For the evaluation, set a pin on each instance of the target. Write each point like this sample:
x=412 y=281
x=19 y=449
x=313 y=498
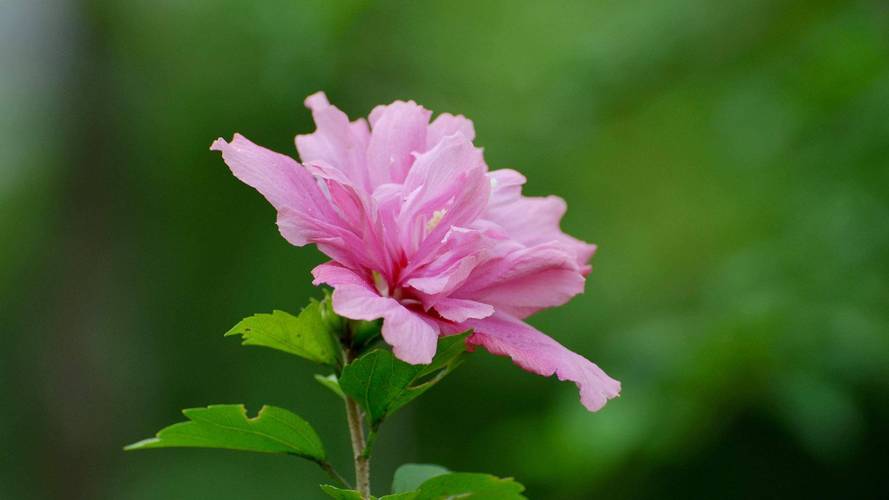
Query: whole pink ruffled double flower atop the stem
x=423 y=235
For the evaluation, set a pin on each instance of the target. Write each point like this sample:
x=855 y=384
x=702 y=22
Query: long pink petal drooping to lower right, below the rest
x=536 y=352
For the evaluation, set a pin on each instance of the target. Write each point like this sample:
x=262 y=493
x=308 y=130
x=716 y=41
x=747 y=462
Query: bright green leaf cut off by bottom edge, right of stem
x=467 y=485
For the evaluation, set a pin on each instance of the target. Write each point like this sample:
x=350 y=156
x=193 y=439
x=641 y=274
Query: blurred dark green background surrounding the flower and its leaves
x=730 y=158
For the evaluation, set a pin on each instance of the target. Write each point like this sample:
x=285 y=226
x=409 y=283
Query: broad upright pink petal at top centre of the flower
x=397 y=131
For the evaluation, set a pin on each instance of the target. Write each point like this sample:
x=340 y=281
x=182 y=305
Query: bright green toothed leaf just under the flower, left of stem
x=310 y=335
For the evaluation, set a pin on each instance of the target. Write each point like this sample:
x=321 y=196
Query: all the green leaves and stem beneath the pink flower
x=376 y=379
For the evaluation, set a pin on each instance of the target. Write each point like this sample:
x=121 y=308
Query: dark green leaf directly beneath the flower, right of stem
x=382 y=384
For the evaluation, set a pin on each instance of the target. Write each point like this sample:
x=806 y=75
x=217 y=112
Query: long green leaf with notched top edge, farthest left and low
x=272 y=430
